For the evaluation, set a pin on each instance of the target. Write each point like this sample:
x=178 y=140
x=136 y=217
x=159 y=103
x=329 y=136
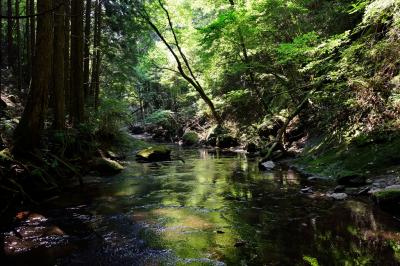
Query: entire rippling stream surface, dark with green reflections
x=207 y=209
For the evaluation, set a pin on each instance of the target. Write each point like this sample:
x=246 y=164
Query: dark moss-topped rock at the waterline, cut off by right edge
x=388 y=199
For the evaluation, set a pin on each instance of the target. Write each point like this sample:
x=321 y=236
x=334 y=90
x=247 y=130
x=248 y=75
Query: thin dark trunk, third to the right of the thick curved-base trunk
x=86 y=55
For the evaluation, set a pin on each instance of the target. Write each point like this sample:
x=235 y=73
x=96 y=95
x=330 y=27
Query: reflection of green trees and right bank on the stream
x=195 y=199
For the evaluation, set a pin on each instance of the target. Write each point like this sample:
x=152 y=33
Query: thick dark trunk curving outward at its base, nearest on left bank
x=27 y=133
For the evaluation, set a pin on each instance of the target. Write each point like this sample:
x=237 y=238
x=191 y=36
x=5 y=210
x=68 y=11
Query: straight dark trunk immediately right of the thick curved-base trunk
x=58 y=67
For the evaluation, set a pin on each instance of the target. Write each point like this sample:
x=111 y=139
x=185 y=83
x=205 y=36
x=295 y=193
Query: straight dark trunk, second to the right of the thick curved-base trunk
x=77 y=62
